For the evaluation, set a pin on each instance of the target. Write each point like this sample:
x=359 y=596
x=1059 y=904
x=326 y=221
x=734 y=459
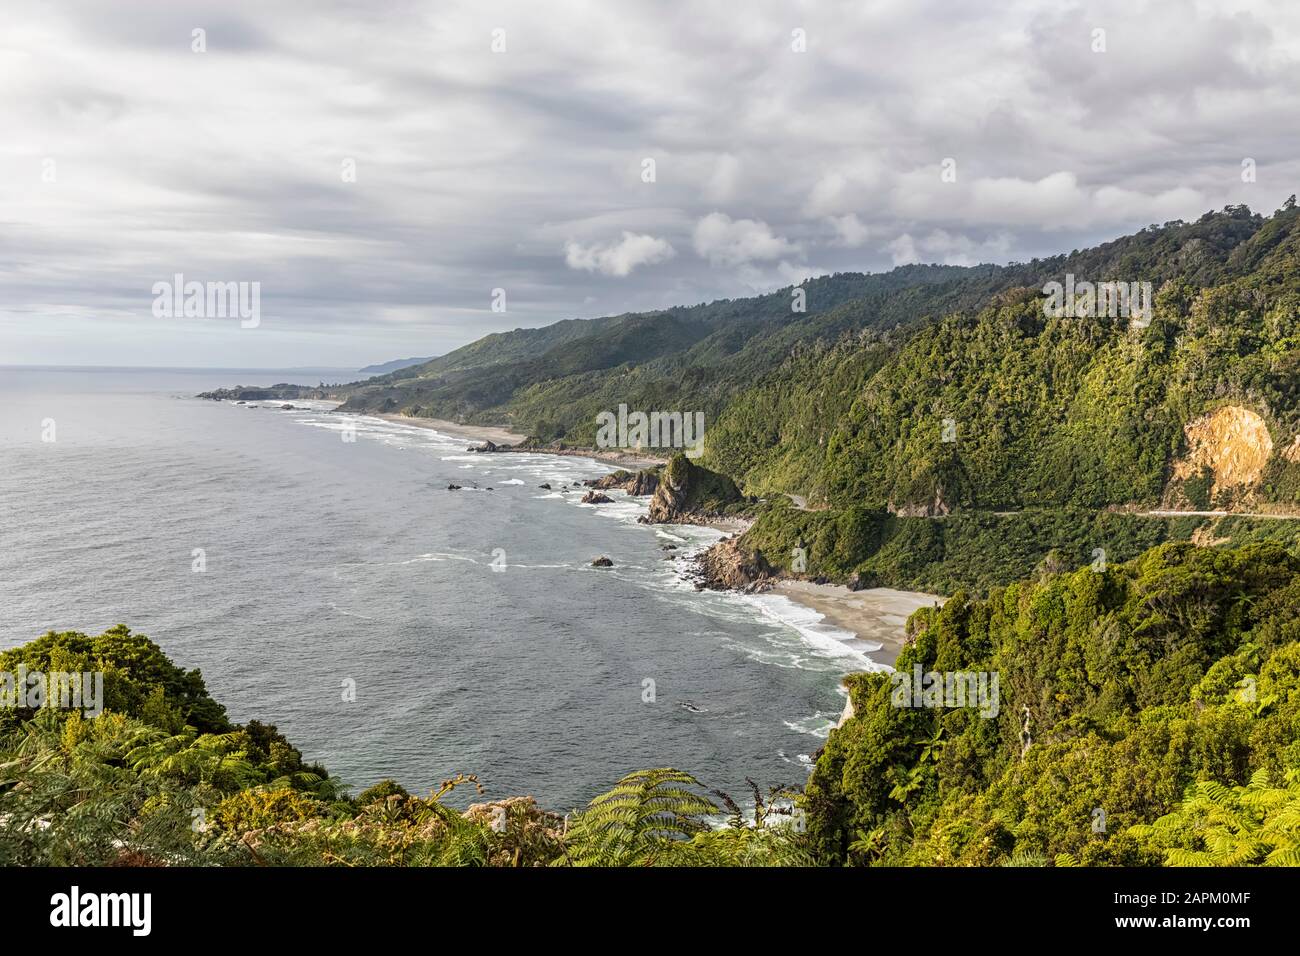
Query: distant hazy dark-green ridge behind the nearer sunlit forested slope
x=552 y=382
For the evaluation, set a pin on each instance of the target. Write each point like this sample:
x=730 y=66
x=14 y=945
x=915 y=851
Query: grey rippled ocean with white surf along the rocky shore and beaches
x=476 y=634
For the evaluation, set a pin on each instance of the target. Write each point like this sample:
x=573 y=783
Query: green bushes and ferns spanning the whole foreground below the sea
x=1160 y=698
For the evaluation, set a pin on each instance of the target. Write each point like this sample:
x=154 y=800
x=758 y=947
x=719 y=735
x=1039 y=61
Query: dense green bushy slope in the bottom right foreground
x=1147 y=715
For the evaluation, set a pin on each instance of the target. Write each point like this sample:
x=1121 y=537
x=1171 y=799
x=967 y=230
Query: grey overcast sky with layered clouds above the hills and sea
x=382 y=168
